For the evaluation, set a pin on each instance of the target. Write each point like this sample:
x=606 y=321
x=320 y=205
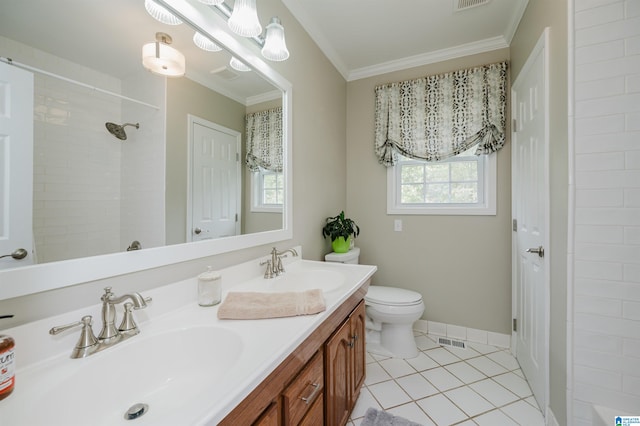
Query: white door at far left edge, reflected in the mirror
x=16 y=164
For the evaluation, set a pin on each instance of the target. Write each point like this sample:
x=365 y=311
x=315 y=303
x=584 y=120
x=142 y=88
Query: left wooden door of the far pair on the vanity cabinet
x=337 y=376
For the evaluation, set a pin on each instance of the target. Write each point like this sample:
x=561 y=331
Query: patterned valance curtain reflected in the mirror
x=264 y=140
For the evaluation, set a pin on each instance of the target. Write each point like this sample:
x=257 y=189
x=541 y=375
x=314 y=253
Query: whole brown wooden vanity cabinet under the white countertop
x=332 y=357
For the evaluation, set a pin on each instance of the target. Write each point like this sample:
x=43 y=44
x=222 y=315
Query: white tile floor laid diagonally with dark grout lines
x=481 y=385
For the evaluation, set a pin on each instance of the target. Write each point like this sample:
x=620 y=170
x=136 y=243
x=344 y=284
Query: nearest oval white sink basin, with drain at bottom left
x=164 y=371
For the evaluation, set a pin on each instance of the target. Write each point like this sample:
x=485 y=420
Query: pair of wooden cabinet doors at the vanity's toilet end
x=345 y=367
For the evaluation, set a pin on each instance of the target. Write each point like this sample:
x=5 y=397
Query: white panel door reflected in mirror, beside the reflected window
x=215 y=181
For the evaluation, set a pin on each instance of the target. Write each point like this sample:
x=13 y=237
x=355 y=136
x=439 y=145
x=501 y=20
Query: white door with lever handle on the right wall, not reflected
x=530 y=195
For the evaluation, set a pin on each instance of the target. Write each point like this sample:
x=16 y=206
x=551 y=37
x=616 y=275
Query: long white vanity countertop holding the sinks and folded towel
x=40 y=358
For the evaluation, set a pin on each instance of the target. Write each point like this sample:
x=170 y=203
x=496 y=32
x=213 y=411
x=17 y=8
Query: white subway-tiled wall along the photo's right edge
x=606 y=266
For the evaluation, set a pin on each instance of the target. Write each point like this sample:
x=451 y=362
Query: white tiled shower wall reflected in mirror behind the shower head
x=93 y=194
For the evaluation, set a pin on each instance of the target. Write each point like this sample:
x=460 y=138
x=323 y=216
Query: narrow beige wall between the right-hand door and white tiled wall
x=553 y=14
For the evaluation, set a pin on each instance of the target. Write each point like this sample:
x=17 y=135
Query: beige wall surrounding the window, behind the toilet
x=460 y=264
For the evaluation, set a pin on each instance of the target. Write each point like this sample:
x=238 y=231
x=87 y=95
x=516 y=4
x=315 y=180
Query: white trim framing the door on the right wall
x=541 y=48
